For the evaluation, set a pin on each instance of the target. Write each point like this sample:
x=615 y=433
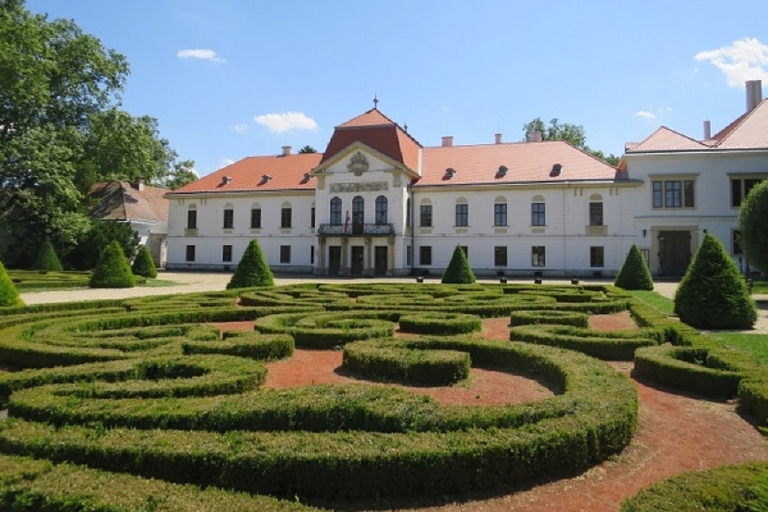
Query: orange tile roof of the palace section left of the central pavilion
x=259 y=173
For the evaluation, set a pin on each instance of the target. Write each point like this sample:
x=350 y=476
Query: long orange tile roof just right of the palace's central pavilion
x=525 y=162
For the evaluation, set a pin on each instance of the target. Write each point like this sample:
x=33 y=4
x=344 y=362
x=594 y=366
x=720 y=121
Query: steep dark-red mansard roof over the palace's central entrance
x=378 y=132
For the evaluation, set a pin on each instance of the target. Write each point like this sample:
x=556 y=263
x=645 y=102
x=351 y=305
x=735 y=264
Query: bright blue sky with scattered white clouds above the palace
x=228 y=79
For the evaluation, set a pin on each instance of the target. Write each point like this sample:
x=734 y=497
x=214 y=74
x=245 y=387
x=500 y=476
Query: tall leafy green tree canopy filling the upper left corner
x=61 y=128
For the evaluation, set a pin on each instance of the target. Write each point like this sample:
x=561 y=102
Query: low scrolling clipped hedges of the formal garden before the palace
x=148 y=394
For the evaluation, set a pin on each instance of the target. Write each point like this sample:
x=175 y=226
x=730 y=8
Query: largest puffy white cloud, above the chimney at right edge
x=746 y=59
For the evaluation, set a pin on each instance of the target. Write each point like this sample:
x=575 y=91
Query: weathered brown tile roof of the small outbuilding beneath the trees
x=120 y=200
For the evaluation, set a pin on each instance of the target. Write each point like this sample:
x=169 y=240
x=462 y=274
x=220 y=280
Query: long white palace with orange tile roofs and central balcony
x=378 y=203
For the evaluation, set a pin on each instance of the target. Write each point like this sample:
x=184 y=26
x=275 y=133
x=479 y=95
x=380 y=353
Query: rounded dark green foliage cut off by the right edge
x=753 y=228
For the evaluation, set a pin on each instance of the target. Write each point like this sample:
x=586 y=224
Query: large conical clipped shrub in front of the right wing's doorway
x=712 y=294
